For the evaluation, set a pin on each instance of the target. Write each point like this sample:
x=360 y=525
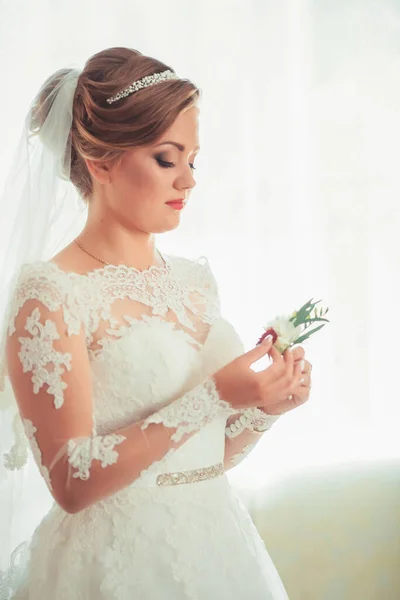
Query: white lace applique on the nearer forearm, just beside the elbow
x=81 y=453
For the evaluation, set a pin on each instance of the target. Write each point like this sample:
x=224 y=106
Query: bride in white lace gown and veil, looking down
x=134 y=392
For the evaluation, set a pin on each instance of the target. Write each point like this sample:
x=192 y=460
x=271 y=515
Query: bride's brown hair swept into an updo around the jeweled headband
x=101 y=131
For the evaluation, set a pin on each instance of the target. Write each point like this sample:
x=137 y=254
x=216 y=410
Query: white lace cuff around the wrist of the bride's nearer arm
x=193 y=411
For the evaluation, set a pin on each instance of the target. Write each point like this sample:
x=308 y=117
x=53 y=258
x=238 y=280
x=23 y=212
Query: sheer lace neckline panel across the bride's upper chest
x=115 y=299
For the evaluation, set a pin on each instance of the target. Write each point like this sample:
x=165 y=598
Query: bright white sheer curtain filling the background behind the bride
x=298 y=185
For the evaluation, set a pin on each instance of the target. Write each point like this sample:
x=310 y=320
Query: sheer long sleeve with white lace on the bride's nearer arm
x=50 y=373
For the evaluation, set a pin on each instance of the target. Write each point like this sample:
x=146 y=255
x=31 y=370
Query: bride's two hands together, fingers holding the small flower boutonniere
x=269 y=389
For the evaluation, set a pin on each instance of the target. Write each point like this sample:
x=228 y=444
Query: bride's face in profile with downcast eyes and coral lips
x=148 y=177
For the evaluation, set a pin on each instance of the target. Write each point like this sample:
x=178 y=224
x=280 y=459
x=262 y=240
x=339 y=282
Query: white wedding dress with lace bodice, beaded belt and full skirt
x=152 y=337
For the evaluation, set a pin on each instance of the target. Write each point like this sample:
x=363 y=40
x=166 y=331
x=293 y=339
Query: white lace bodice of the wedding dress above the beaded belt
x=151 y=337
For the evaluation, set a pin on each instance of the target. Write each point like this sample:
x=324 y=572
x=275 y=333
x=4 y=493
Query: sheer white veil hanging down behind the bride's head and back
x=40 y=213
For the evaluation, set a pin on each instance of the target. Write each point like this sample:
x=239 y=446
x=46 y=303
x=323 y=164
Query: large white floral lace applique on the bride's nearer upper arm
x=38 y=355
